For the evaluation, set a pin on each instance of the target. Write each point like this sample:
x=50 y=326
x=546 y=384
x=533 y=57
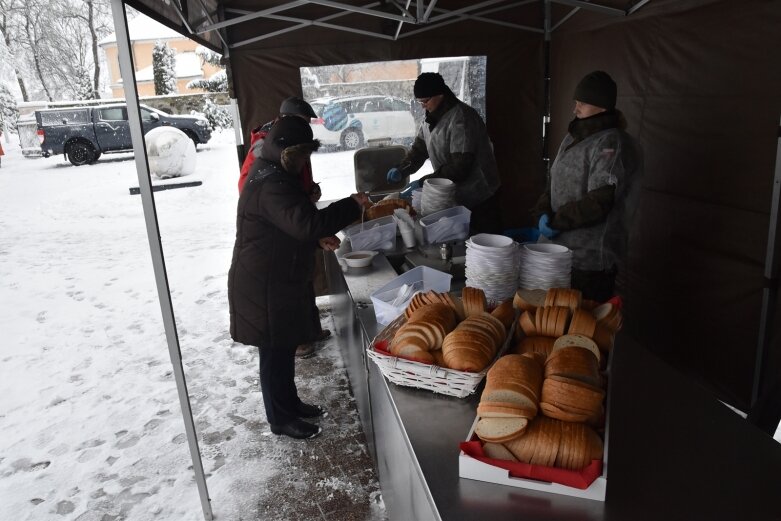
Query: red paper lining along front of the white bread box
x=580 y=479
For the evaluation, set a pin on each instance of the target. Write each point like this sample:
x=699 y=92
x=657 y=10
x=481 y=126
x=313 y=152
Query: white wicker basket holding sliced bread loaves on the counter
x=424 y=376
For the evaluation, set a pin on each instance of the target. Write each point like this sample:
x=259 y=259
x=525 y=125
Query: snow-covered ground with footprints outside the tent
x=89 y=418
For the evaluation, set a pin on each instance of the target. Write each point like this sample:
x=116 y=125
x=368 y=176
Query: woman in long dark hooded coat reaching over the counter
x=269 y=283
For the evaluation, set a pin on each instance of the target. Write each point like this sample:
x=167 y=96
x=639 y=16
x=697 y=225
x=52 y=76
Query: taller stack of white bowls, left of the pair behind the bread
x=492 y=263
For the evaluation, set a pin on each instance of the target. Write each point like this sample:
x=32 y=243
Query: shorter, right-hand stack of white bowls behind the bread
x=544 y=266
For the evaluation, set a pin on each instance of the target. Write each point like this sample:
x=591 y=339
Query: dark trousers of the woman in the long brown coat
x=277 y=383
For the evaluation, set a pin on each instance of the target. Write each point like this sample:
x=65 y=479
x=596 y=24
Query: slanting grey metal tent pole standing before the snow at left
x=155 y=246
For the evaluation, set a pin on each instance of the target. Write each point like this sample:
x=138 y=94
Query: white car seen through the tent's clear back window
x=349 y=122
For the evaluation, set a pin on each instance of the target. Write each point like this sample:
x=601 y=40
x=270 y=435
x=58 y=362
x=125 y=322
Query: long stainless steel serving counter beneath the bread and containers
x=675 y=451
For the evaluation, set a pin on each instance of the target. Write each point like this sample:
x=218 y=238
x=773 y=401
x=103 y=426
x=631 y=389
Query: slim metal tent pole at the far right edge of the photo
x=770 y=291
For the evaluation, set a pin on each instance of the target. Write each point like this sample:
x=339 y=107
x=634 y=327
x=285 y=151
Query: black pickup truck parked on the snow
x=84 y=133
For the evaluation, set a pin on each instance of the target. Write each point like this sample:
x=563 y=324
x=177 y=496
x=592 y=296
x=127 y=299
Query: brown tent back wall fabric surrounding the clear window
x=514 y=81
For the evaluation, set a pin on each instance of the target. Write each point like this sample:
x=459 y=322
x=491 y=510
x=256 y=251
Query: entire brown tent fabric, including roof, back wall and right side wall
x=701 y=89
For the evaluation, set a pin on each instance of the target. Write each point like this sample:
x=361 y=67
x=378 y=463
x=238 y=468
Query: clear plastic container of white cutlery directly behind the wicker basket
x=391 y=300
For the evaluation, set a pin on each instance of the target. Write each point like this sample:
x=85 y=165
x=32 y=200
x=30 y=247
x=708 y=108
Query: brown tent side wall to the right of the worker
x=701 y=90
